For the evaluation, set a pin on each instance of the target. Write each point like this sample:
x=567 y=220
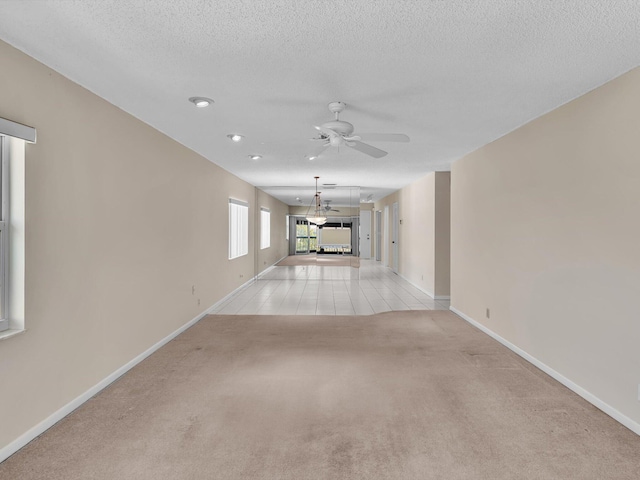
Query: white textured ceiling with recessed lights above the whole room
x=453 y=75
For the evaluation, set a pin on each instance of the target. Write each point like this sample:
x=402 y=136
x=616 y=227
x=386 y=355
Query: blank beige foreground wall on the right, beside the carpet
x=546 y=233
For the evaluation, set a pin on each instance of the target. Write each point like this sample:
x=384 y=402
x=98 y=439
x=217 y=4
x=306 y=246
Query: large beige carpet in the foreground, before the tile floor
x=415 y=395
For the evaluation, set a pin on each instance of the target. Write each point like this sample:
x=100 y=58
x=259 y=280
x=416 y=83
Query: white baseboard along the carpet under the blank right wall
x=588 y=396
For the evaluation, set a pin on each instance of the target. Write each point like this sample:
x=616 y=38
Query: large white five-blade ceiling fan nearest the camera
x=338 y=132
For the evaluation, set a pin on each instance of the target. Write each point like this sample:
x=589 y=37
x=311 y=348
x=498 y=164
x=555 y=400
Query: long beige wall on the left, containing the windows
x=121 y=222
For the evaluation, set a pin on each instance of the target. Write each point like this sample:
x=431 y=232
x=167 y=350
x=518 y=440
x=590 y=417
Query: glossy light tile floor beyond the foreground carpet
x=328 y=290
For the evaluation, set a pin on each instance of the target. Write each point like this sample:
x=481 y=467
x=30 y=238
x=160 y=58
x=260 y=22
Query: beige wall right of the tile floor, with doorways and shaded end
x=424 y=233
